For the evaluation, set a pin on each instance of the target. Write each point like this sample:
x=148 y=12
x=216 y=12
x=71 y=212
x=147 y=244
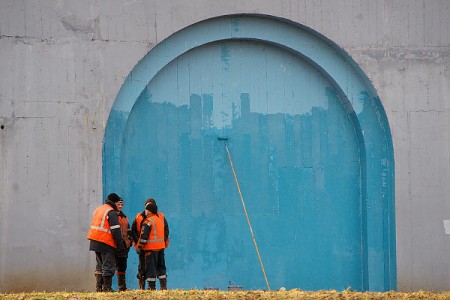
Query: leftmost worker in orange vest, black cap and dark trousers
x=105 y=239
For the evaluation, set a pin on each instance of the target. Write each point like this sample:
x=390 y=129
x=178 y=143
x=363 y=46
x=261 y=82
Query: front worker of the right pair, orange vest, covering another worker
x=151 y=242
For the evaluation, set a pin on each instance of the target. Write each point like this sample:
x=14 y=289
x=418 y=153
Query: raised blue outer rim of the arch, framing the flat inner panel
x=356 y=94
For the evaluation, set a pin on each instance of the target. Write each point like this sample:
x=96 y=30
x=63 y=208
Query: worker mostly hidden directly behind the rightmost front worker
x=161 y=265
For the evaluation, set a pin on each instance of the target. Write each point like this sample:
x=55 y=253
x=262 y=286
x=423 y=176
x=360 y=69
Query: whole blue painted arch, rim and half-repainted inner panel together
x=310 y=143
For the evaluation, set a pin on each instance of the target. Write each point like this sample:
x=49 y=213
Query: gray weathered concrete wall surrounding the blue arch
x=63 y=62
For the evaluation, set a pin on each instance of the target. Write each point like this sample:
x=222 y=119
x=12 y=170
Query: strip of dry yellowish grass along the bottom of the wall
x=222 y=295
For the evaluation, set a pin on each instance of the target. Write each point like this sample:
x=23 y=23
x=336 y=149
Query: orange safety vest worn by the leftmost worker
x=100 y=230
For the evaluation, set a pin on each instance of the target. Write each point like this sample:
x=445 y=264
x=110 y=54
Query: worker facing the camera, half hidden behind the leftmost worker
x=122 y=256
